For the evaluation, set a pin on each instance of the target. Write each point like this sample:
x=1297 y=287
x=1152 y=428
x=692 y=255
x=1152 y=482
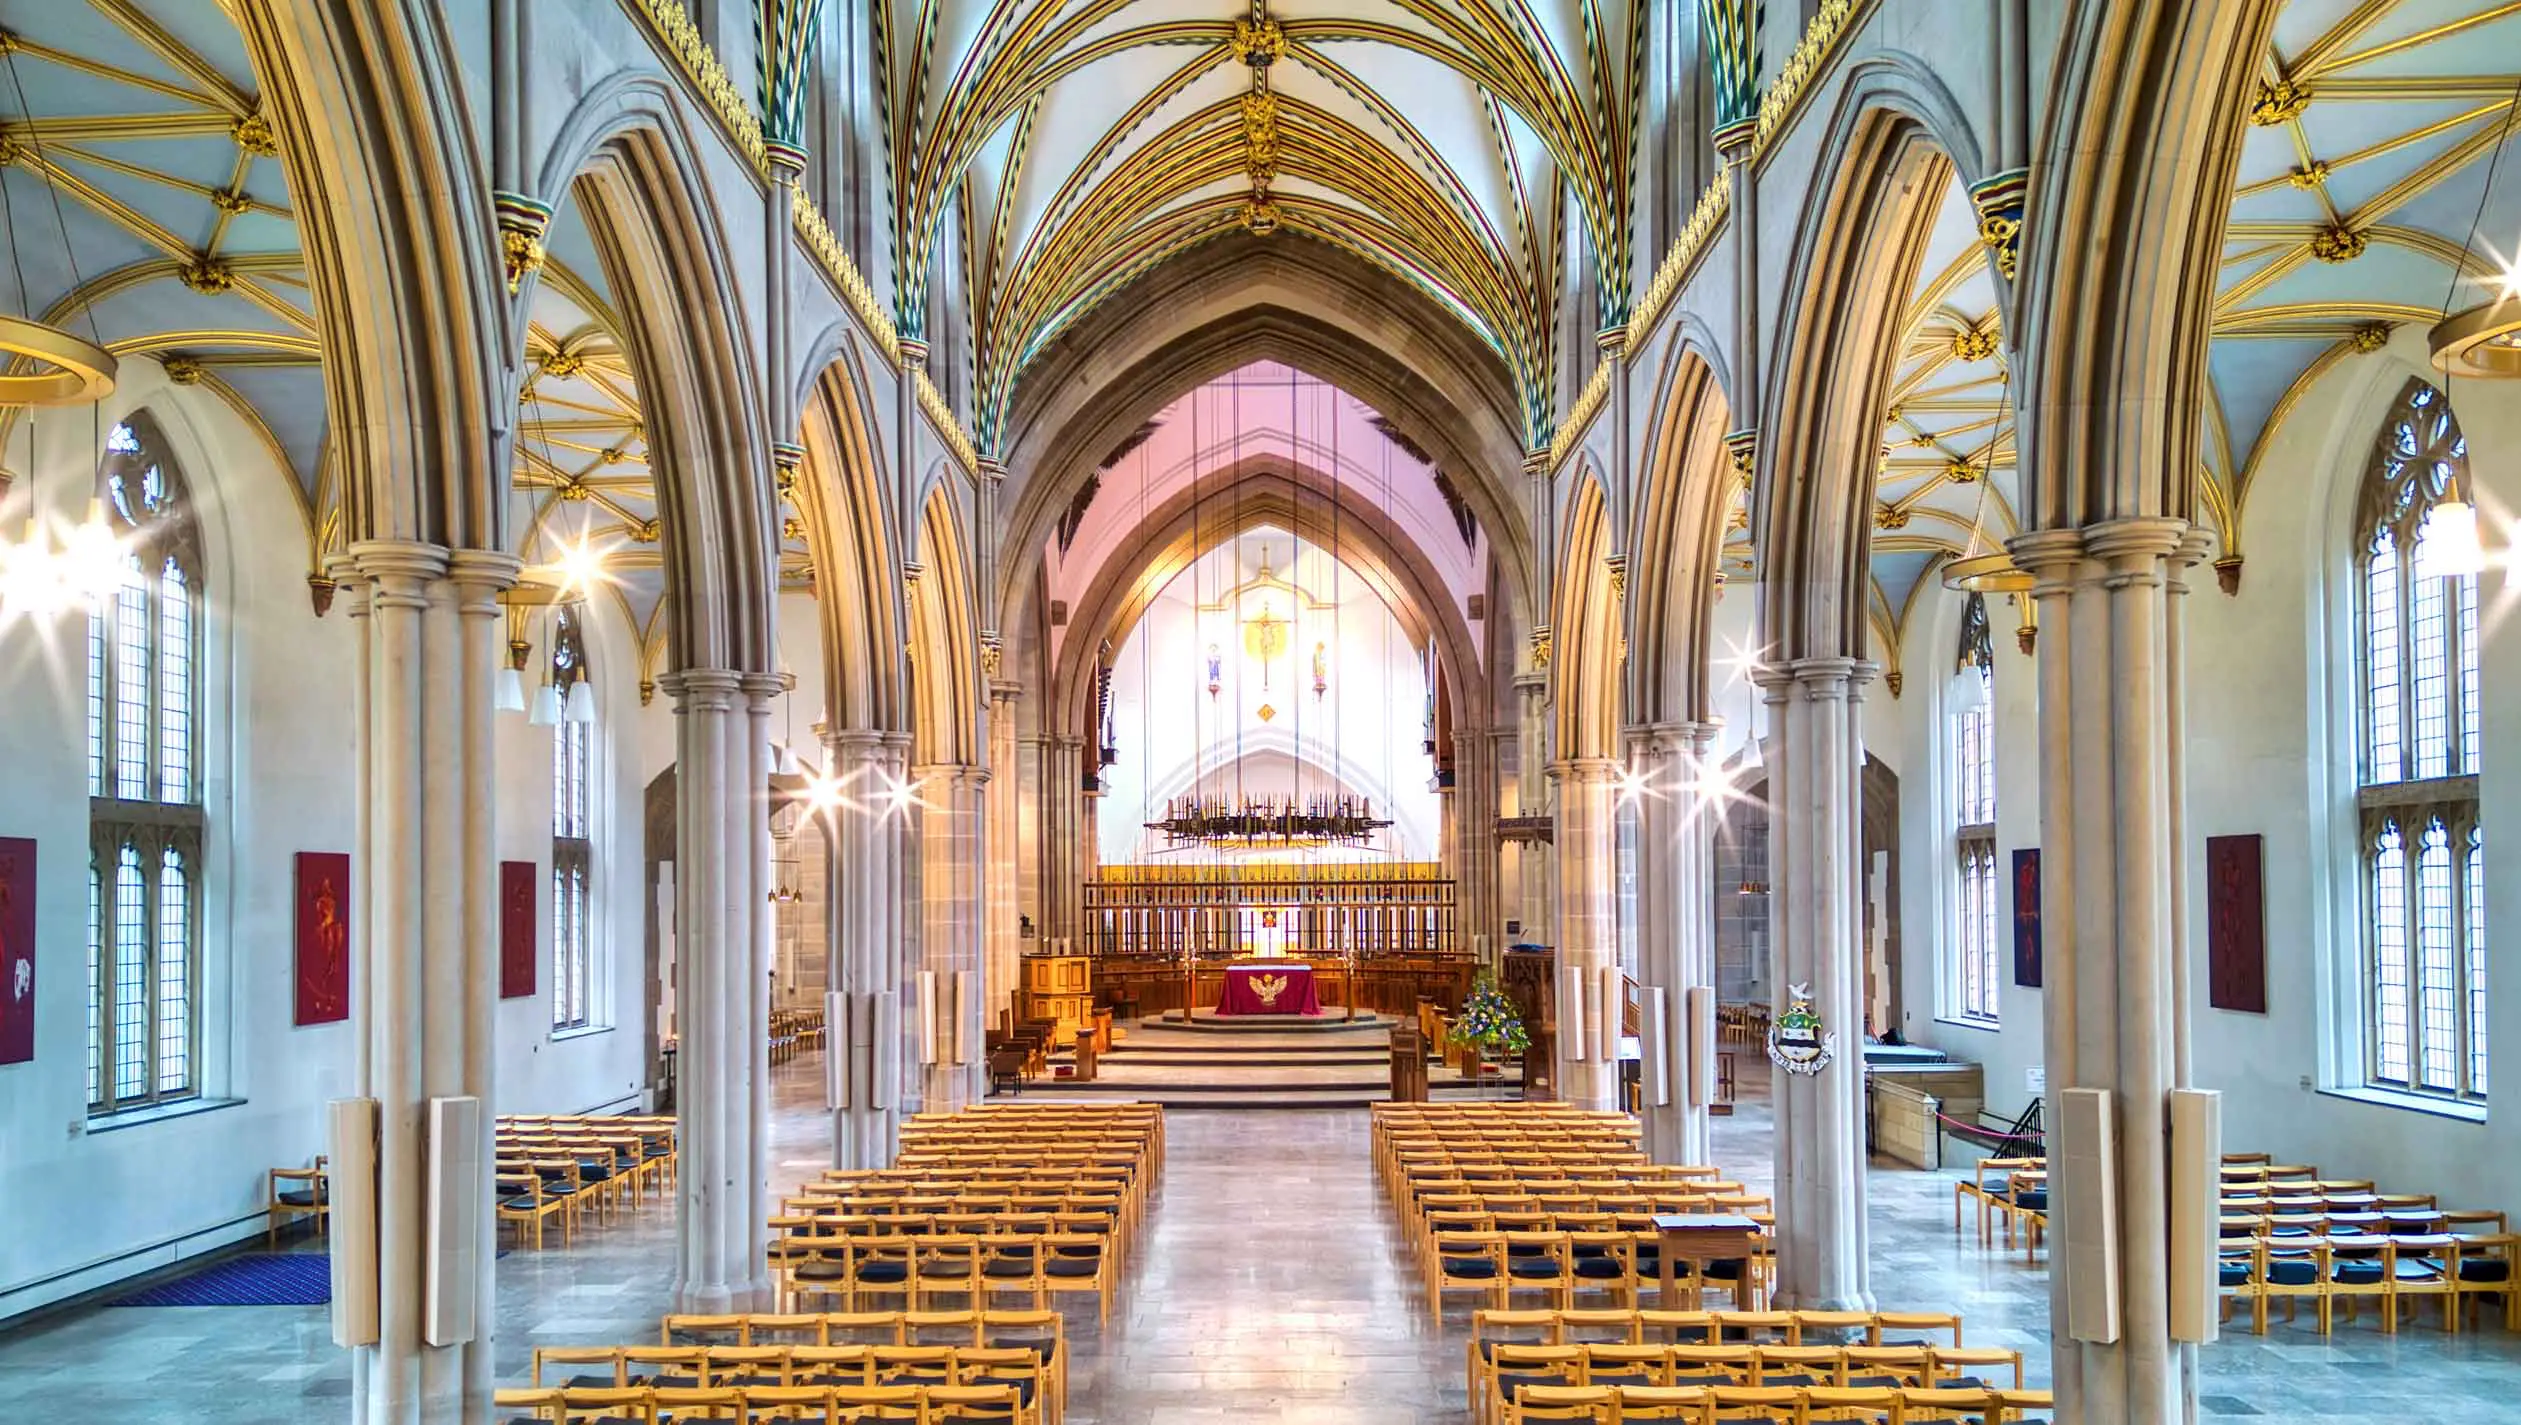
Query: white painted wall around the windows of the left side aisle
x=87 y=1209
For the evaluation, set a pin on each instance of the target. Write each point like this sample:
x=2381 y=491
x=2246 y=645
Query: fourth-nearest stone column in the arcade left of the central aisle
x=952 y=798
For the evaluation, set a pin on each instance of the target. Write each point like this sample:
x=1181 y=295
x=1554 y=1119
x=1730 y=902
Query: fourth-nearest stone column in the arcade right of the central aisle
x=1587 y=924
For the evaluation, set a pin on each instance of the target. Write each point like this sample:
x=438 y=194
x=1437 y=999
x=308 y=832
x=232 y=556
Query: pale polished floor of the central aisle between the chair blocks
x=1269 y=1288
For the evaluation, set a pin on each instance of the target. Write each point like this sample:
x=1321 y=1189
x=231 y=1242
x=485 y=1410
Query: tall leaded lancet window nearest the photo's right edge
x=2416 y=647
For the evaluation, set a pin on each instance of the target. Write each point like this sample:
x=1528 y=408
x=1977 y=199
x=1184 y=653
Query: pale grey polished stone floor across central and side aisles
x=1269 y=1288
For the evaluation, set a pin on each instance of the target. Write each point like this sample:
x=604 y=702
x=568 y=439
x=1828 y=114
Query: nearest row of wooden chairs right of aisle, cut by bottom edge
x=1774 y=1406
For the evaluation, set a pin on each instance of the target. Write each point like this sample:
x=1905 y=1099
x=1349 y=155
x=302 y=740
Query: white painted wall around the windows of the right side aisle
x=2270 y=750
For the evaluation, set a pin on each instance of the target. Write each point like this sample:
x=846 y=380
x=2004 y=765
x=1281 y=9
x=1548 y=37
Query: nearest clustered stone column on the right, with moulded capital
x=2116 y=955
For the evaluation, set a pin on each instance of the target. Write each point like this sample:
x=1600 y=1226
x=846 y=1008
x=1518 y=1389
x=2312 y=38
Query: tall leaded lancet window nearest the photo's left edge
x=145 y=788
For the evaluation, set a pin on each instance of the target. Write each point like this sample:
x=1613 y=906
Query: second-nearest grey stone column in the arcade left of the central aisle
x=722 y=987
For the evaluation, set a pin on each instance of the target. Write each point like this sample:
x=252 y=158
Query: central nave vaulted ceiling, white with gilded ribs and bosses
x=1471 y=148
